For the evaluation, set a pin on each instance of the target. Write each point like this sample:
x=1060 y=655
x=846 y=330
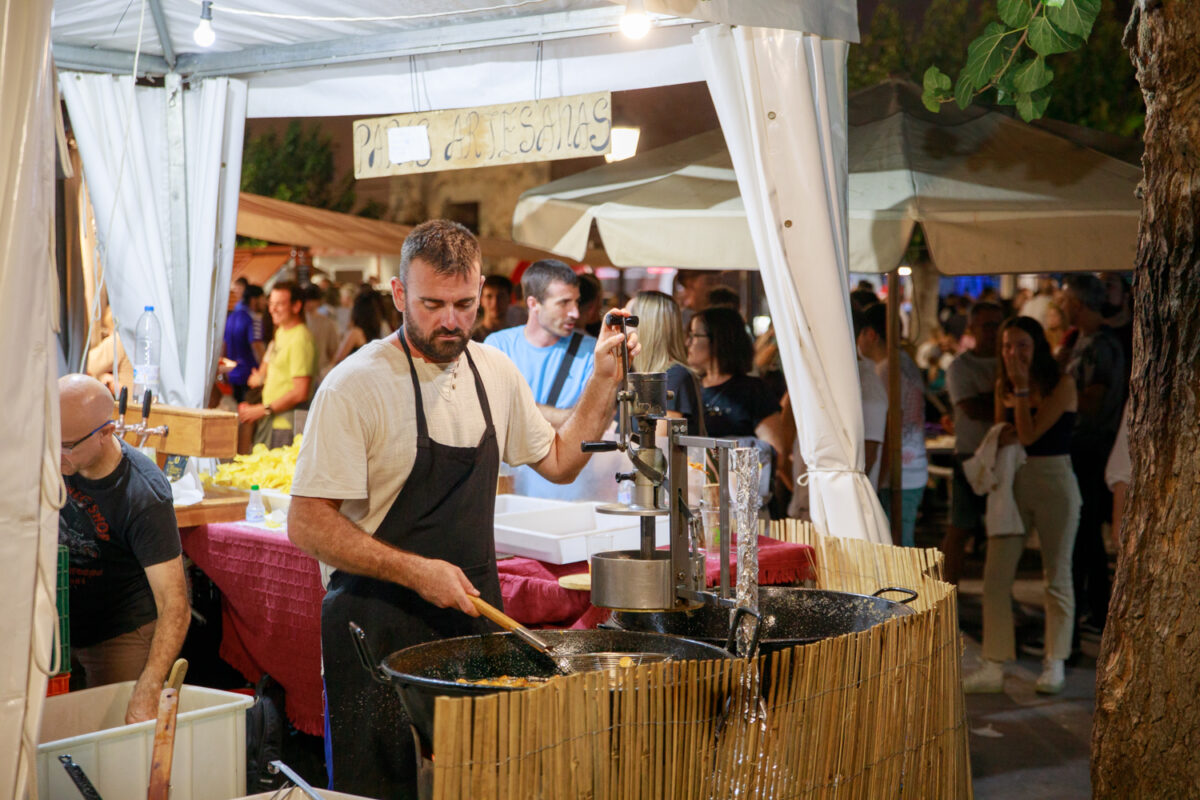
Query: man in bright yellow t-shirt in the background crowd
x=287 y=372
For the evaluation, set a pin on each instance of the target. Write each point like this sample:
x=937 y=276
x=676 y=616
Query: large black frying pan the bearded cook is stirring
x=424 y=672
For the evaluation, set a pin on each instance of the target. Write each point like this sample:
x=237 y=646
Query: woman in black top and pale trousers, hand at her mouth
x=1039 y=401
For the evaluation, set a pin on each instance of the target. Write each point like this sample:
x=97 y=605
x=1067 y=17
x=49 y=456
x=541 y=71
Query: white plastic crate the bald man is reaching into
x=211 y=744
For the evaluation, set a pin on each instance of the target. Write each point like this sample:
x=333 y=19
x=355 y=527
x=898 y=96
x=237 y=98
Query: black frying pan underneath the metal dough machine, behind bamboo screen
x=790 y=617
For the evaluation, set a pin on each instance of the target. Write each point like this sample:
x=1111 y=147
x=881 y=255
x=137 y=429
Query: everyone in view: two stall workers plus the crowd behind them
x=416 y=413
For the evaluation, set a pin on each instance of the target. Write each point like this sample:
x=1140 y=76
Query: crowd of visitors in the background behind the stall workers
x=1047 y=370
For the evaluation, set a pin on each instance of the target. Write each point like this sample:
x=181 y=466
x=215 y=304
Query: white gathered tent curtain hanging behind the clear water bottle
x=124 y=147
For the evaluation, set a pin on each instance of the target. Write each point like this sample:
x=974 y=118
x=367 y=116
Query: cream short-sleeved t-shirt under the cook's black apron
x=361 y=440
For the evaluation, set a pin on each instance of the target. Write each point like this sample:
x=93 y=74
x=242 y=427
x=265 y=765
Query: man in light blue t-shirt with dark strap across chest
x=555 y=358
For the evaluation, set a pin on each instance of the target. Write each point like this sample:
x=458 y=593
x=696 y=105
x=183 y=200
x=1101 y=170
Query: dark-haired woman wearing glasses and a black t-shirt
x=736 y=404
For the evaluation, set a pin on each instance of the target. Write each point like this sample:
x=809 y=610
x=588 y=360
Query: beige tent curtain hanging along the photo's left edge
x=29 y=516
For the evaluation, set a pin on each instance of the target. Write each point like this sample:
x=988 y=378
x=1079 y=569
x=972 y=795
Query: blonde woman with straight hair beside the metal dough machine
x=661 y=333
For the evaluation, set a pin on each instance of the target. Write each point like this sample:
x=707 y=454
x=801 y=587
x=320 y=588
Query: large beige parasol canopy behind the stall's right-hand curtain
x=992 y=194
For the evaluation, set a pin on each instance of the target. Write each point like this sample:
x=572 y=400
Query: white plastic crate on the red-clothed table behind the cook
x=560 y=536
